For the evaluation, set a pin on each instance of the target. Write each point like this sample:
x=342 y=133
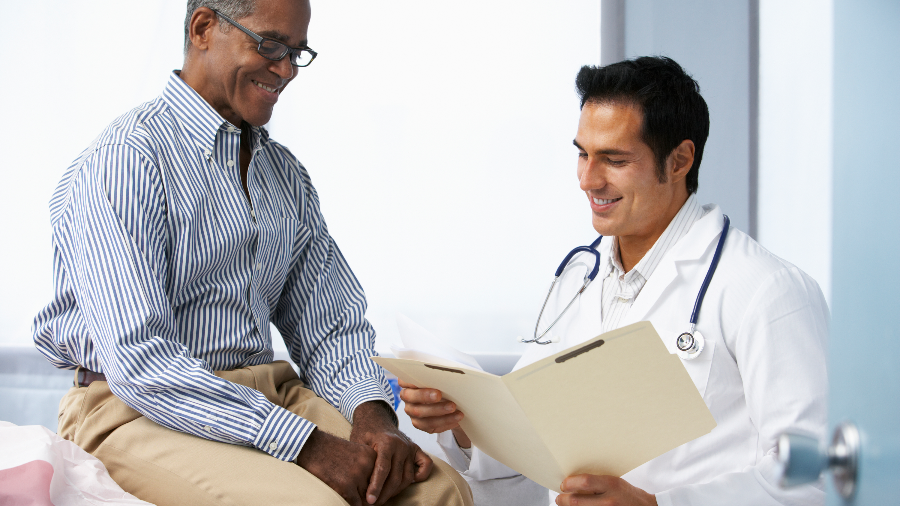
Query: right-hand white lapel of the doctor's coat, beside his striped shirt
x=691 y=247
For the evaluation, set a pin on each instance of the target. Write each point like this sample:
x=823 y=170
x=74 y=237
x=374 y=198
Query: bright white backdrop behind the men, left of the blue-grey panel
x=438 y=136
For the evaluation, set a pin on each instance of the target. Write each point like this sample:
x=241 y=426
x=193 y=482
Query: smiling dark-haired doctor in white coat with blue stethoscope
x=761 y=371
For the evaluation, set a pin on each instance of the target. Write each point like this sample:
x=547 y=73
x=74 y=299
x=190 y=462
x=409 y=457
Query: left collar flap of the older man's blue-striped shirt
x=201 y=121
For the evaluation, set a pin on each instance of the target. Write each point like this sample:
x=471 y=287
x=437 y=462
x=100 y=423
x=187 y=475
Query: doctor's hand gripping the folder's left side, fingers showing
x=431 y=414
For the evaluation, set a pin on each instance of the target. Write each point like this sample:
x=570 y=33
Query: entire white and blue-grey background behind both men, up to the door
x=439 y=136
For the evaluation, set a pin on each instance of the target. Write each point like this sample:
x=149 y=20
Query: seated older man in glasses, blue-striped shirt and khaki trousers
x=179 y=234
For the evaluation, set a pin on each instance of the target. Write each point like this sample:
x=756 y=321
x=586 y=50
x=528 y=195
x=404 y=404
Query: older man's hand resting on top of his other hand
x=399 y=462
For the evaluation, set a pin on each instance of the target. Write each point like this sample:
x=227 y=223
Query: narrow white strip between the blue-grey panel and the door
x=795 y=142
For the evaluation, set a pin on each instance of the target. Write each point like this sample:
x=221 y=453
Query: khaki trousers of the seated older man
x=167 y=467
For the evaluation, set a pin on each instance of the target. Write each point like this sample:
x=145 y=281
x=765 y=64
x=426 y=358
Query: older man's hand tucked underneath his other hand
x=342 y=465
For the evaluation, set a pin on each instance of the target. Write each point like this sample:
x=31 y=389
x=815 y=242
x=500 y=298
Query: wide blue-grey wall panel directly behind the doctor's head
x=711 y=41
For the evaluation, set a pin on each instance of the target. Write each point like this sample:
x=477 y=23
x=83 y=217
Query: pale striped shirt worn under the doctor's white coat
x=621 y=288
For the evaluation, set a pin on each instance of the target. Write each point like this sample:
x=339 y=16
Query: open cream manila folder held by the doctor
x=605 y=406
